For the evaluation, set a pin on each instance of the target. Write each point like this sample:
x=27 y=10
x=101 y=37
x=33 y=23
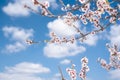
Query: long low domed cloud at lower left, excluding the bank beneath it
x=28 y=68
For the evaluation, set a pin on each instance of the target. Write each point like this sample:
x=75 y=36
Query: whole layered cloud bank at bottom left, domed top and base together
x=24 y=71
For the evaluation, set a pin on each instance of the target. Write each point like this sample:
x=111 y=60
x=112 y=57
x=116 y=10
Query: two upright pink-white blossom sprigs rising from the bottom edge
x=84 y=69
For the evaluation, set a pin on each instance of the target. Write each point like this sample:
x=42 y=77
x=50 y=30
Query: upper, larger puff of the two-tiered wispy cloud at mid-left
x=16 y=33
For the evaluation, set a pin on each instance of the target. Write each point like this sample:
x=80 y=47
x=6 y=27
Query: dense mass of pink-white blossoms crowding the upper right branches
x=93 y=16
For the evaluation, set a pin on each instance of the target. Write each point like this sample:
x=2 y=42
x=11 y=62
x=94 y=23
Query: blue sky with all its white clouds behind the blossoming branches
x=19 y=61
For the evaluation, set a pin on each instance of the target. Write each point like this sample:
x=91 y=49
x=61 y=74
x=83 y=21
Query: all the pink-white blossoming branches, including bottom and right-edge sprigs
x=101 y=15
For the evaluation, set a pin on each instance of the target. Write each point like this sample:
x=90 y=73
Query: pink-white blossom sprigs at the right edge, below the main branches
x=114 y=60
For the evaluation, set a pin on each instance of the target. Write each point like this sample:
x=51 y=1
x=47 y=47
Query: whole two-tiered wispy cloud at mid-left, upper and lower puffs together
x=17 y=36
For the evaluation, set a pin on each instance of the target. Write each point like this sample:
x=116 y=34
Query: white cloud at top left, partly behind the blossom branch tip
x=16 y=8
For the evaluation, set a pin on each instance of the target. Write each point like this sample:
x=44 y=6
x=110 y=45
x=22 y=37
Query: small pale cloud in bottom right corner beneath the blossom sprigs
x=115 y=74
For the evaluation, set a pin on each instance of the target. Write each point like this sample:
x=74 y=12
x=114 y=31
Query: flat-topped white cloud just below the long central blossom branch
x=62 y=50
